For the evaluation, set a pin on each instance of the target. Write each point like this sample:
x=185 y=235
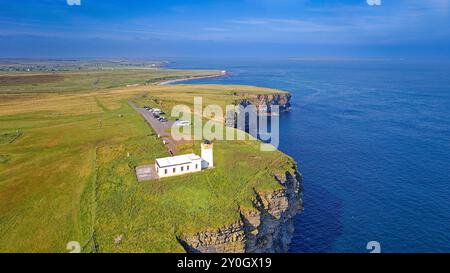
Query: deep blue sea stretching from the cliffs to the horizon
x=372 y=140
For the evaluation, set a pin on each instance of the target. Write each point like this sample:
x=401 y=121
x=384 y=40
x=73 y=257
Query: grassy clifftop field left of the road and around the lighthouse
x=67 y=173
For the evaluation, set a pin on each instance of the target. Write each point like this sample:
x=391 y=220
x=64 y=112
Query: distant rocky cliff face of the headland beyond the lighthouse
x=266 y=100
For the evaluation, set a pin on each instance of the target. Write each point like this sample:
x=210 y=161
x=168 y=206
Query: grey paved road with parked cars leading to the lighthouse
x=159 y=127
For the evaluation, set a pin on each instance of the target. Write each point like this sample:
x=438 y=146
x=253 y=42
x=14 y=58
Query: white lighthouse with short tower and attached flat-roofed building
x=184 y=164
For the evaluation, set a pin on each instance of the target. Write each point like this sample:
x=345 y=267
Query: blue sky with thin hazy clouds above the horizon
x=304 y=29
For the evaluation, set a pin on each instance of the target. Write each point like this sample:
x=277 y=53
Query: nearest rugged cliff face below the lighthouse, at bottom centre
x=266 y=229
